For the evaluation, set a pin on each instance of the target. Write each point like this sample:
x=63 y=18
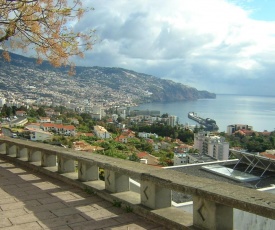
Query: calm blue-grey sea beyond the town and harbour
x=256 y=111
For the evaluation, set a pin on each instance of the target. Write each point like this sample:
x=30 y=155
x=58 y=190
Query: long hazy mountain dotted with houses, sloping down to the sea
x=23 y=75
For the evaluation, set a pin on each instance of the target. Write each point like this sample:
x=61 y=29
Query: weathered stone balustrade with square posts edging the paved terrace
x=213 y=201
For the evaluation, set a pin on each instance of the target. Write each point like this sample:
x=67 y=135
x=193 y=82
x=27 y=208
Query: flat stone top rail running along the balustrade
x=246 y=199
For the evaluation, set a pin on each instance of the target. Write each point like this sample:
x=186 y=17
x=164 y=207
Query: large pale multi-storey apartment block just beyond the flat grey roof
x=211 y=145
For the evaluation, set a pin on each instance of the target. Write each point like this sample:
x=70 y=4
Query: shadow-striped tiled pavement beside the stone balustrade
x=35 y=201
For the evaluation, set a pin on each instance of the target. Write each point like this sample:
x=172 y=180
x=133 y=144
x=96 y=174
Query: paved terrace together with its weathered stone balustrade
x=58 y=188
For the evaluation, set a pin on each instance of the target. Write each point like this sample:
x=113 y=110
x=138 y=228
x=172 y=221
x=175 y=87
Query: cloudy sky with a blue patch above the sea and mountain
x=223 y=46
